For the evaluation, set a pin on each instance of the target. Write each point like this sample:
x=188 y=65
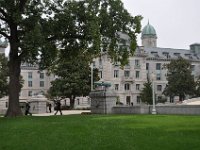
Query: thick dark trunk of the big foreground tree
x=14 y=74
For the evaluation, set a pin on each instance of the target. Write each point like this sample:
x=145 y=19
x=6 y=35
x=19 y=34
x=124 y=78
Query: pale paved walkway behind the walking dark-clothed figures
x=65 y=112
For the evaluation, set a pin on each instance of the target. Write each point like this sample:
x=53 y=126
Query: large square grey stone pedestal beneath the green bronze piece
x=102 y=101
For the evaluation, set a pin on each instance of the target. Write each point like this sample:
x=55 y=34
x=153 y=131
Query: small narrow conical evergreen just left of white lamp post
x=146 y=93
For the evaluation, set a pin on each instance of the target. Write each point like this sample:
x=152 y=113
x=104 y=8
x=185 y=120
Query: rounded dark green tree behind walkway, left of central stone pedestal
x=73 y=79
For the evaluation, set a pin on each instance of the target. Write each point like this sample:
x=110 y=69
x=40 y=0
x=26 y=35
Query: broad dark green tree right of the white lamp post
x=180 y=80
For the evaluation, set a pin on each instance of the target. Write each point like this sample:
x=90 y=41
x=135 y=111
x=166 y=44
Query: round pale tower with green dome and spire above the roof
x=149 y=37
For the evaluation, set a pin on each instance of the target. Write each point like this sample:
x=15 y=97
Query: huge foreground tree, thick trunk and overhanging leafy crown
x=35 y=28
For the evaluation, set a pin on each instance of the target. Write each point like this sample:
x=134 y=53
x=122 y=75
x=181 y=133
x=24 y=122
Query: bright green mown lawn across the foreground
x=100 y=132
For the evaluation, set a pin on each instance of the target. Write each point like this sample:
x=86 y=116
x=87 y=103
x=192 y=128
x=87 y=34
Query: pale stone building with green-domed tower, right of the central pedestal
x=147 y=60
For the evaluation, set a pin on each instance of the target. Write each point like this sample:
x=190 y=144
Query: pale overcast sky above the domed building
x=177 y=22
